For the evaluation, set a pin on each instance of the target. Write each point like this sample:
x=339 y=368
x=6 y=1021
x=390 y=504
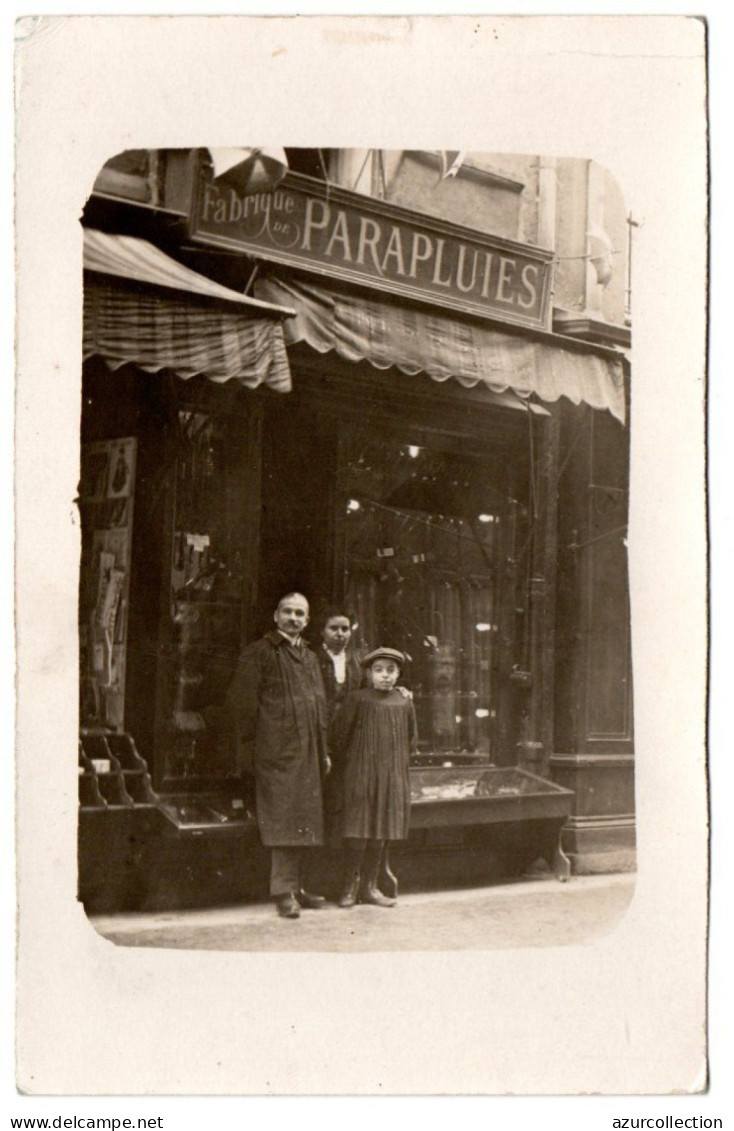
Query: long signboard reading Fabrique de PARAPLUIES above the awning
x=318 y=228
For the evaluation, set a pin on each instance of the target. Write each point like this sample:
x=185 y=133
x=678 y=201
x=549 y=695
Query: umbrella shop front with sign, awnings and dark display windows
x=382 y=422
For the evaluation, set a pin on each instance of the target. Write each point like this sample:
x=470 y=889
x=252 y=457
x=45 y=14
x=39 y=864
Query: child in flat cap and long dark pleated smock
x=375 y=733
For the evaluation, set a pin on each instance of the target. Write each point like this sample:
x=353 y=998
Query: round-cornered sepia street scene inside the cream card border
x=381 y=402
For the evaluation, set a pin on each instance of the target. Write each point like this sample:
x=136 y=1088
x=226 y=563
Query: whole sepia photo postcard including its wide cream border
x=373 y=500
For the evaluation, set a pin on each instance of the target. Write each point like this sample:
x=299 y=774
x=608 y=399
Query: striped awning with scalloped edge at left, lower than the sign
x=144 y=308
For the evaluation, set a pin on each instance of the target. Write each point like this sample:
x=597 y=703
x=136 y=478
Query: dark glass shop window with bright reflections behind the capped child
x=424 y=552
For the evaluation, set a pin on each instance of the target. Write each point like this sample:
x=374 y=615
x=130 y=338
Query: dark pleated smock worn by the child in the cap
x=375 y=733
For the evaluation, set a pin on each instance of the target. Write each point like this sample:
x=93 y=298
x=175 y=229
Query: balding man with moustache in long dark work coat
x=277 y=709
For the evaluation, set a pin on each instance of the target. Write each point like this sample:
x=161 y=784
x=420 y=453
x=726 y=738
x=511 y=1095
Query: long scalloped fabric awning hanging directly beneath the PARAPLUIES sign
x=367 y=329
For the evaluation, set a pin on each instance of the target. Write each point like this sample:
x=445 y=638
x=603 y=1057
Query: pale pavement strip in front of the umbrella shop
x=531 y=912
